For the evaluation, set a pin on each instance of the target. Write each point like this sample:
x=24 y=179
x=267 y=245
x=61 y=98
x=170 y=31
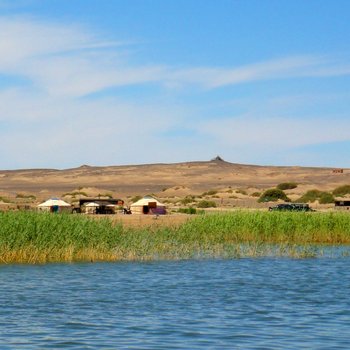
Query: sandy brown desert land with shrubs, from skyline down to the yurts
x=228 y=184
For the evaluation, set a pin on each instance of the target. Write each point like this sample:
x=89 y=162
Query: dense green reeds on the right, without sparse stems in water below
x=270 y=227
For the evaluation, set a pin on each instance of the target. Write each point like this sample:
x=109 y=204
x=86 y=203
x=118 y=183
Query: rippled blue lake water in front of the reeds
x=205 y=304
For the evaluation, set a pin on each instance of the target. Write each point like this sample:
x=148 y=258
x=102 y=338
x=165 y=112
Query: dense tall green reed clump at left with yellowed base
x=42 y=237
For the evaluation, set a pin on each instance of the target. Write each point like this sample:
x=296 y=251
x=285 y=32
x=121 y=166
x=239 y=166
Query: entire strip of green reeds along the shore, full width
x=27 y=237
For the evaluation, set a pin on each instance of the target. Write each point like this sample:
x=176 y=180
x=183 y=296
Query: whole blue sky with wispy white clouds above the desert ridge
x=109 y=82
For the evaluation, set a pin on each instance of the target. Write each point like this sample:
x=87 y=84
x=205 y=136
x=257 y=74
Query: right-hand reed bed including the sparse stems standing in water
x=256 y=233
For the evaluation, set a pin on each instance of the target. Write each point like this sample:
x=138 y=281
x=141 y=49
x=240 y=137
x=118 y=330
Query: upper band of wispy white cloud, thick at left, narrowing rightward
x=68 y=59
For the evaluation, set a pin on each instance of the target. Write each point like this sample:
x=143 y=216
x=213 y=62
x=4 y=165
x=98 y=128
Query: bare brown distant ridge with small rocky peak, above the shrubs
x=196 y=176
